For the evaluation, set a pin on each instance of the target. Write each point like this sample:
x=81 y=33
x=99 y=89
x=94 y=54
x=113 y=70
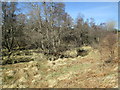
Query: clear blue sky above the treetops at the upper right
x=100 y=11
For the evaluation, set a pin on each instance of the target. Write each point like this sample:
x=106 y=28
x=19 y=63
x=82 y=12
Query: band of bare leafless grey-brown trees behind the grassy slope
x=48 y=27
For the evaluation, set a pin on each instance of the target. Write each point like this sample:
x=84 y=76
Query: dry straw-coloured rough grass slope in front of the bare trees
x=89 y=71
